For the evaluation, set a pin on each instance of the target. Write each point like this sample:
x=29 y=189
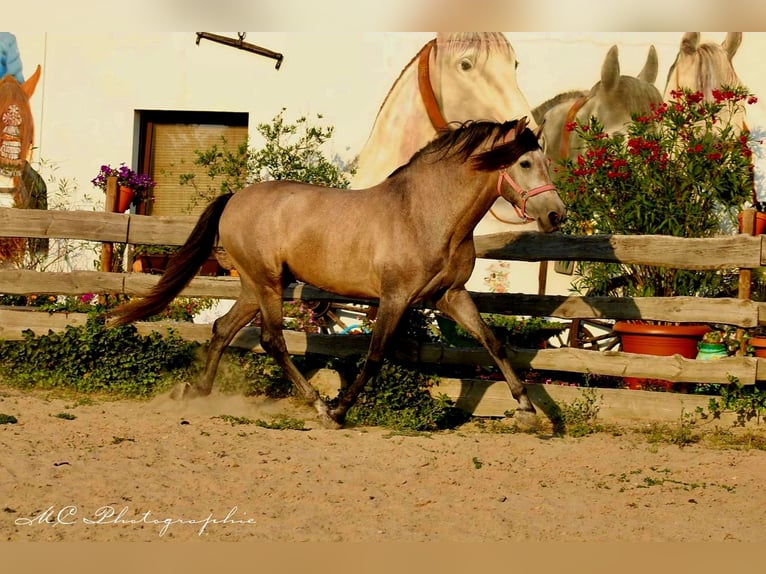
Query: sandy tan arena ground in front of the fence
x=164 y=470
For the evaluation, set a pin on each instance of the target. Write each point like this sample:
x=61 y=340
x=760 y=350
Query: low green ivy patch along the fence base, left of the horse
x=92 y=358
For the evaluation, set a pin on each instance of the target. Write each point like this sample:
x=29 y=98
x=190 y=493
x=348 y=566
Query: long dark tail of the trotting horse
x=182 y=267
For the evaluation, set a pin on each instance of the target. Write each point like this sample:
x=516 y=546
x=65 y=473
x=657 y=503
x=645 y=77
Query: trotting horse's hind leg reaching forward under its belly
x=273 y=342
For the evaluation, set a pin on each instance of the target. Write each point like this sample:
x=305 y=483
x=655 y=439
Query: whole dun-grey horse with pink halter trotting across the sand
x=409 y=239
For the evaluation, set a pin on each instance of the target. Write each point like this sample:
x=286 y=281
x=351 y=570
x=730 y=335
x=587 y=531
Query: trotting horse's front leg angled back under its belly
x=390 y=312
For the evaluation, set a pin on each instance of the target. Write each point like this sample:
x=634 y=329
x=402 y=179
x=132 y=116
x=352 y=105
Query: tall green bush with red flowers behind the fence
x=684 y=169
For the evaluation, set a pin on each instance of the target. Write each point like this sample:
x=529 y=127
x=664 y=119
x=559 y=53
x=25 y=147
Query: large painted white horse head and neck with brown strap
x=454 y=78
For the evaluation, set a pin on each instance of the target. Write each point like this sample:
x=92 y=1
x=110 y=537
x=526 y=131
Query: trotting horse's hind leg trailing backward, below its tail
x=224 y=330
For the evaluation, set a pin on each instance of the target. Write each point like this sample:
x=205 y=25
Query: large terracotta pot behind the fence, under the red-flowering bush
x=659 y=340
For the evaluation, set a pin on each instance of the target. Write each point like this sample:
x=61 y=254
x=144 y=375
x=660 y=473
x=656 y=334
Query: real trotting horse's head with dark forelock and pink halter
x=524 y=178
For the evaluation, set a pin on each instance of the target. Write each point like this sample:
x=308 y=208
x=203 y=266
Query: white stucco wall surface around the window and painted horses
x=92 y=84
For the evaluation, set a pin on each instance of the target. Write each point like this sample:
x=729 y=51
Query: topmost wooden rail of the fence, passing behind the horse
x=717 y=253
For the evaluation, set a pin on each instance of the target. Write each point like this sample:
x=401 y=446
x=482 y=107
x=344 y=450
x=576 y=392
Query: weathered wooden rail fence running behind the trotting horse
x=732 y=252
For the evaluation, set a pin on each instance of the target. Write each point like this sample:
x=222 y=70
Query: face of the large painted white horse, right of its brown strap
x=474 y=77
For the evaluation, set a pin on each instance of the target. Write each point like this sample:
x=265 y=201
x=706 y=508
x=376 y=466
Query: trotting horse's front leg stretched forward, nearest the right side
x=457 y=303
